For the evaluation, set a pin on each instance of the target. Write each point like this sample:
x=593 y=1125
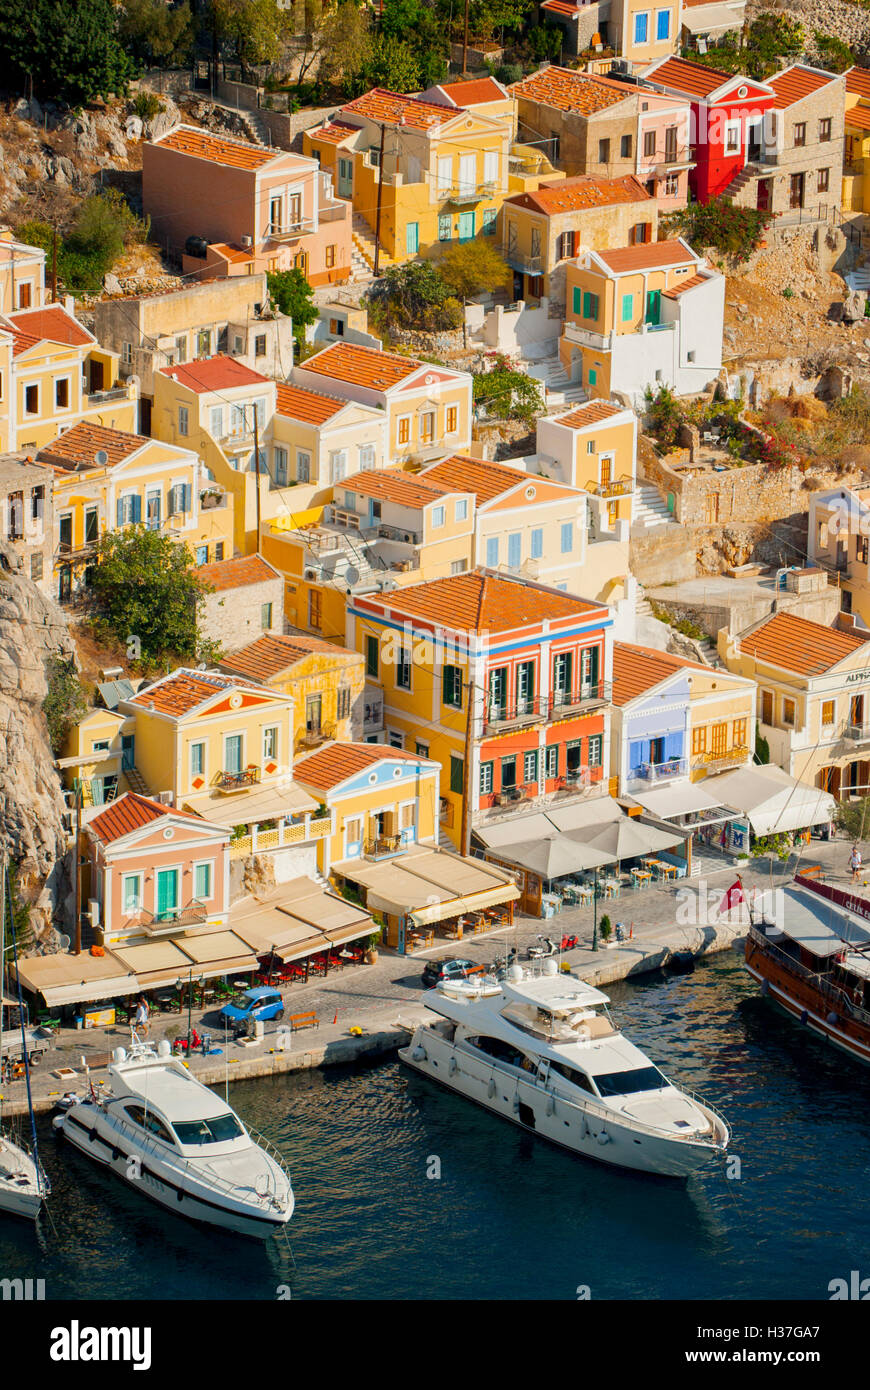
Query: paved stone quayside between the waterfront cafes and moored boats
x=355 y=995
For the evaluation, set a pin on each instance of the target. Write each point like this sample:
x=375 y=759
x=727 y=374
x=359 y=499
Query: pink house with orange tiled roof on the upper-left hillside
x=230 y=208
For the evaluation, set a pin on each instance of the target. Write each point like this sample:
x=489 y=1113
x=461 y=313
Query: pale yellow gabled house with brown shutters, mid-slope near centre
x=427 y=409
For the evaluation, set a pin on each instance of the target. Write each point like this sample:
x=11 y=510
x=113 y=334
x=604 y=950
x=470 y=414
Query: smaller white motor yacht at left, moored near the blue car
x=174 y=1140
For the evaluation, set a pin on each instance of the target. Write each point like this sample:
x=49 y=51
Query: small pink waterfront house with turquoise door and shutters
x=156 y=871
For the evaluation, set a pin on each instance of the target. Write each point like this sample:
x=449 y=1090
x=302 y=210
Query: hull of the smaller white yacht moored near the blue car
x=87 y=1129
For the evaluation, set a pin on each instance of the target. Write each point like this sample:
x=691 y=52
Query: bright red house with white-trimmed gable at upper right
x=728 y=123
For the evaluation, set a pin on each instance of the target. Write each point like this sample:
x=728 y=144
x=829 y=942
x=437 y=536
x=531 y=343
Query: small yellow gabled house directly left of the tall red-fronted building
x=383 y=801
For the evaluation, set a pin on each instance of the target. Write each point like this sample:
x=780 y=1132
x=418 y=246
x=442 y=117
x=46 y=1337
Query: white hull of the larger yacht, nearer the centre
x=541 y=1113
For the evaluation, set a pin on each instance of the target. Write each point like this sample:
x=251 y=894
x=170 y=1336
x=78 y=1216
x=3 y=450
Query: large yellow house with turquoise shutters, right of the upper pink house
x=438 y=173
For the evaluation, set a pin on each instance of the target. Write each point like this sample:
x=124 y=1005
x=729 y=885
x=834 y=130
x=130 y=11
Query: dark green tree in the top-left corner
x=66 y=49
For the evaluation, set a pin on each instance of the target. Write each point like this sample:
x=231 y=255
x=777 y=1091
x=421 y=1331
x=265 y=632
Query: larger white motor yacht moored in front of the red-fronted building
x=543 y=1052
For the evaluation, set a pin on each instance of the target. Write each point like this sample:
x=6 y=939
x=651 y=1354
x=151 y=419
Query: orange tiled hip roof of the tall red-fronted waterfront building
x=484 y=603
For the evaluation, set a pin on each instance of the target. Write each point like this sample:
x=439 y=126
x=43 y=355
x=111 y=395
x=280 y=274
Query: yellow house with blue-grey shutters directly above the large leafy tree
x=105 y=480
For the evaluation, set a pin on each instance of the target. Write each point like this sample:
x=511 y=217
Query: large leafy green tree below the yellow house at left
x=149 y=597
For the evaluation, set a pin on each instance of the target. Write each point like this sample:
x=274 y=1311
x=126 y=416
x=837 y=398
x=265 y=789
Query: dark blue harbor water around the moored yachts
x=405 y=1191
